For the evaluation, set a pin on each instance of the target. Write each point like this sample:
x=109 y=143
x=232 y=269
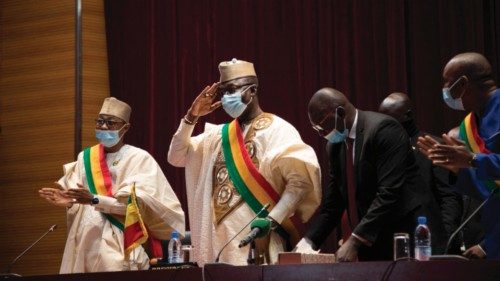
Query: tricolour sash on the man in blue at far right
x=469 y=133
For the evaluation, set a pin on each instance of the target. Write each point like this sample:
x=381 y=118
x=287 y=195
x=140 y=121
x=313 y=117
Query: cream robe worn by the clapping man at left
x=93 y=243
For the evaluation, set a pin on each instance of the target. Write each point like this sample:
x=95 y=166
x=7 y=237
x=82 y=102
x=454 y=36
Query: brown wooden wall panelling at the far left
x=37 y=97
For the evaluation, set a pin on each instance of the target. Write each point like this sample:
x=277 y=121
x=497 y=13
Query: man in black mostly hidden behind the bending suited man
x=444 y=204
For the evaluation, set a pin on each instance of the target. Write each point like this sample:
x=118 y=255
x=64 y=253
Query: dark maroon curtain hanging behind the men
x=162 y=53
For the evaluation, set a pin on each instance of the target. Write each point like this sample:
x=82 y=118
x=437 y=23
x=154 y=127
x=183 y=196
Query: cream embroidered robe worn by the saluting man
x=285 y=161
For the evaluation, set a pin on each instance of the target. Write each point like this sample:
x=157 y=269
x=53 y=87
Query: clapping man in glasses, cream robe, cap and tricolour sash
x=95 y=191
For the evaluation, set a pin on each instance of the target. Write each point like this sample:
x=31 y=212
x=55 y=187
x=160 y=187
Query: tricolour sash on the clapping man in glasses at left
x=99 y=177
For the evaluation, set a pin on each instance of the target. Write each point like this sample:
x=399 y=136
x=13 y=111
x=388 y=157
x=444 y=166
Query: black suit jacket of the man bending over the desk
x=386 y=177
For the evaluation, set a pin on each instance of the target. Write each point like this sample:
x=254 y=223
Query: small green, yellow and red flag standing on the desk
x=134 y=232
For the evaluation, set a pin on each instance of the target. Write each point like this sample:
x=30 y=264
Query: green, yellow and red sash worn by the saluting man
x=252 y=186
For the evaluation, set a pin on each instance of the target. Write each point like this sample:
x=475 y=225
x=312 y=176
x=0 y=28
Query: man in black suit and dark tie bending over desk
x=374 y=184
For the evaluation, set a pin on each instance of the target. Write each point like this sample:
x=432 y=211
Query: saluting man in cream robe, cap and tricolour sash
x=235 y=169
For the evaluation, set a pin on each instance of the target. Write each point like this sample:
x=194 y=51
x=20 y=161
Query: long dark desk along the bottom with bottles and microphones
x=402 y=270
